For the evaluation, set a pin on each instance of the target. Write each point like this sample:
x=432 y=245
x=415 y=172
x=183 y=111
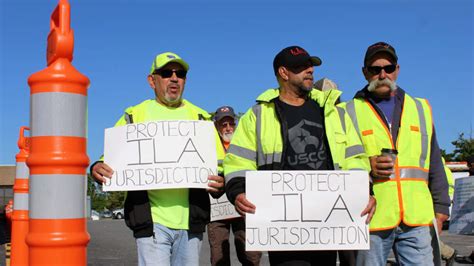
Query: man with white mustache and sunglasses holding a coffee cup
x=410 y=186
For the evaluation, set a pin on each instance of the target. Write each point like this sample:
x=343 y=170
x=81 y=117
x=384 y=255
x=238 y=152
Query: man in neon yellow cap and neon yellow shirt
x=168 y=224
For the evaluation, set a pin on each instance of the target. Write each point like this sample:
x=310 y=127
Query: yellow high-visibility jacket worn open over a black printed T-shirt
x=258 y=144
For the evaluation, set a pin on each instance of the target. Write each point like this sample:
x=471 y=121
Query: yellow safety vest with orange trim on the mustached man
x=405 y=196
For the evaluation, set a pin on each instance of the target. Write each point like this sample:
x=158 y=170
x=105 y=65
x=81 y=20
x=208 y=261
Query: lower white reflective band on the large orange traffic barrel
x=65 y=196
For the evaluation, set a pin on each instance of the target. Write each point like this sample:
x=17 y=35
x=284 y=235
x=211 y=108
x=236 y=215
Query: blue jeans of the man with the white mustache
x=411 y=245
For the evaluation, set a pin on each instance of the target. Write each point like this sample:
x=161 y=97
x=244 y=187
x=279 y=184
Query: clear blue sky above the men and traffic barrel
x=230 y=47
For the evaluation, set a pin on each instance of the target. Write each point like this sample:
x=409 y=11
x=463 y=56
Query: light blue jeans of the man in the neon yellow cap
x=169 y=247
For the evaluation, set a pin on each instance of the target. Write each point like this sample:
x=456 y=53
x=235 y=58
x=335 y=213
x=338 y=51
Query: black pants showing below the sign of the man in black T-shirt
x=302 y=258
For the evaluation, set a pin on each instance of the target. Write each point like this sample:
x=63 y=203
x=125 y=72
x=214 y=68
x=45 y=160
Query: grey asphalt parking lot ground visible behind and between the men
x=112 y=243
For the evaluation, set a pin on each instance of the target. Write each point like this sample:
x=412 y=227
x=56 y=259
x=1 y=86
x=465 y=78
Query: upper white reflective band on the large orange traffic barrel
x=58 y=114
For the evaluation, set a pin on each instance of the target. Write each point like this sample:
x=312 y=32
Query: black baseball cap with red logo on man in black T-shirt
x=293 y=57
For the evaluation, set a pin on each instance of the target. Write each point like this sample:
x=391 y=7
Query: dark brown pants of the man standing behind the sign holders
x=218 y=233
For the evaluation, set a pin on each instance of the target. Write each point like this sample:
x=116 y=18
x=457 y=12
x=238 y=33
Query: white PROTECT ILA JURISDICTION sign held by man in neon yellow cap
x=160 y=154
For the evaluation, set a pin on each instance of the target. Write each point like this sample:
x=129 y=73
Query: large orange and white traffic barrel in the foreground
x=58 y=159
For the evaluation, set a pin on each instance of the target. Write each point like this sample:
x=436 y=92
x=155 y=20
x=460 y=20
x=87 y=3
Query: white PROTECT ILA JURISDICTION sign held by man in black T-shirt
x=307 y=210
